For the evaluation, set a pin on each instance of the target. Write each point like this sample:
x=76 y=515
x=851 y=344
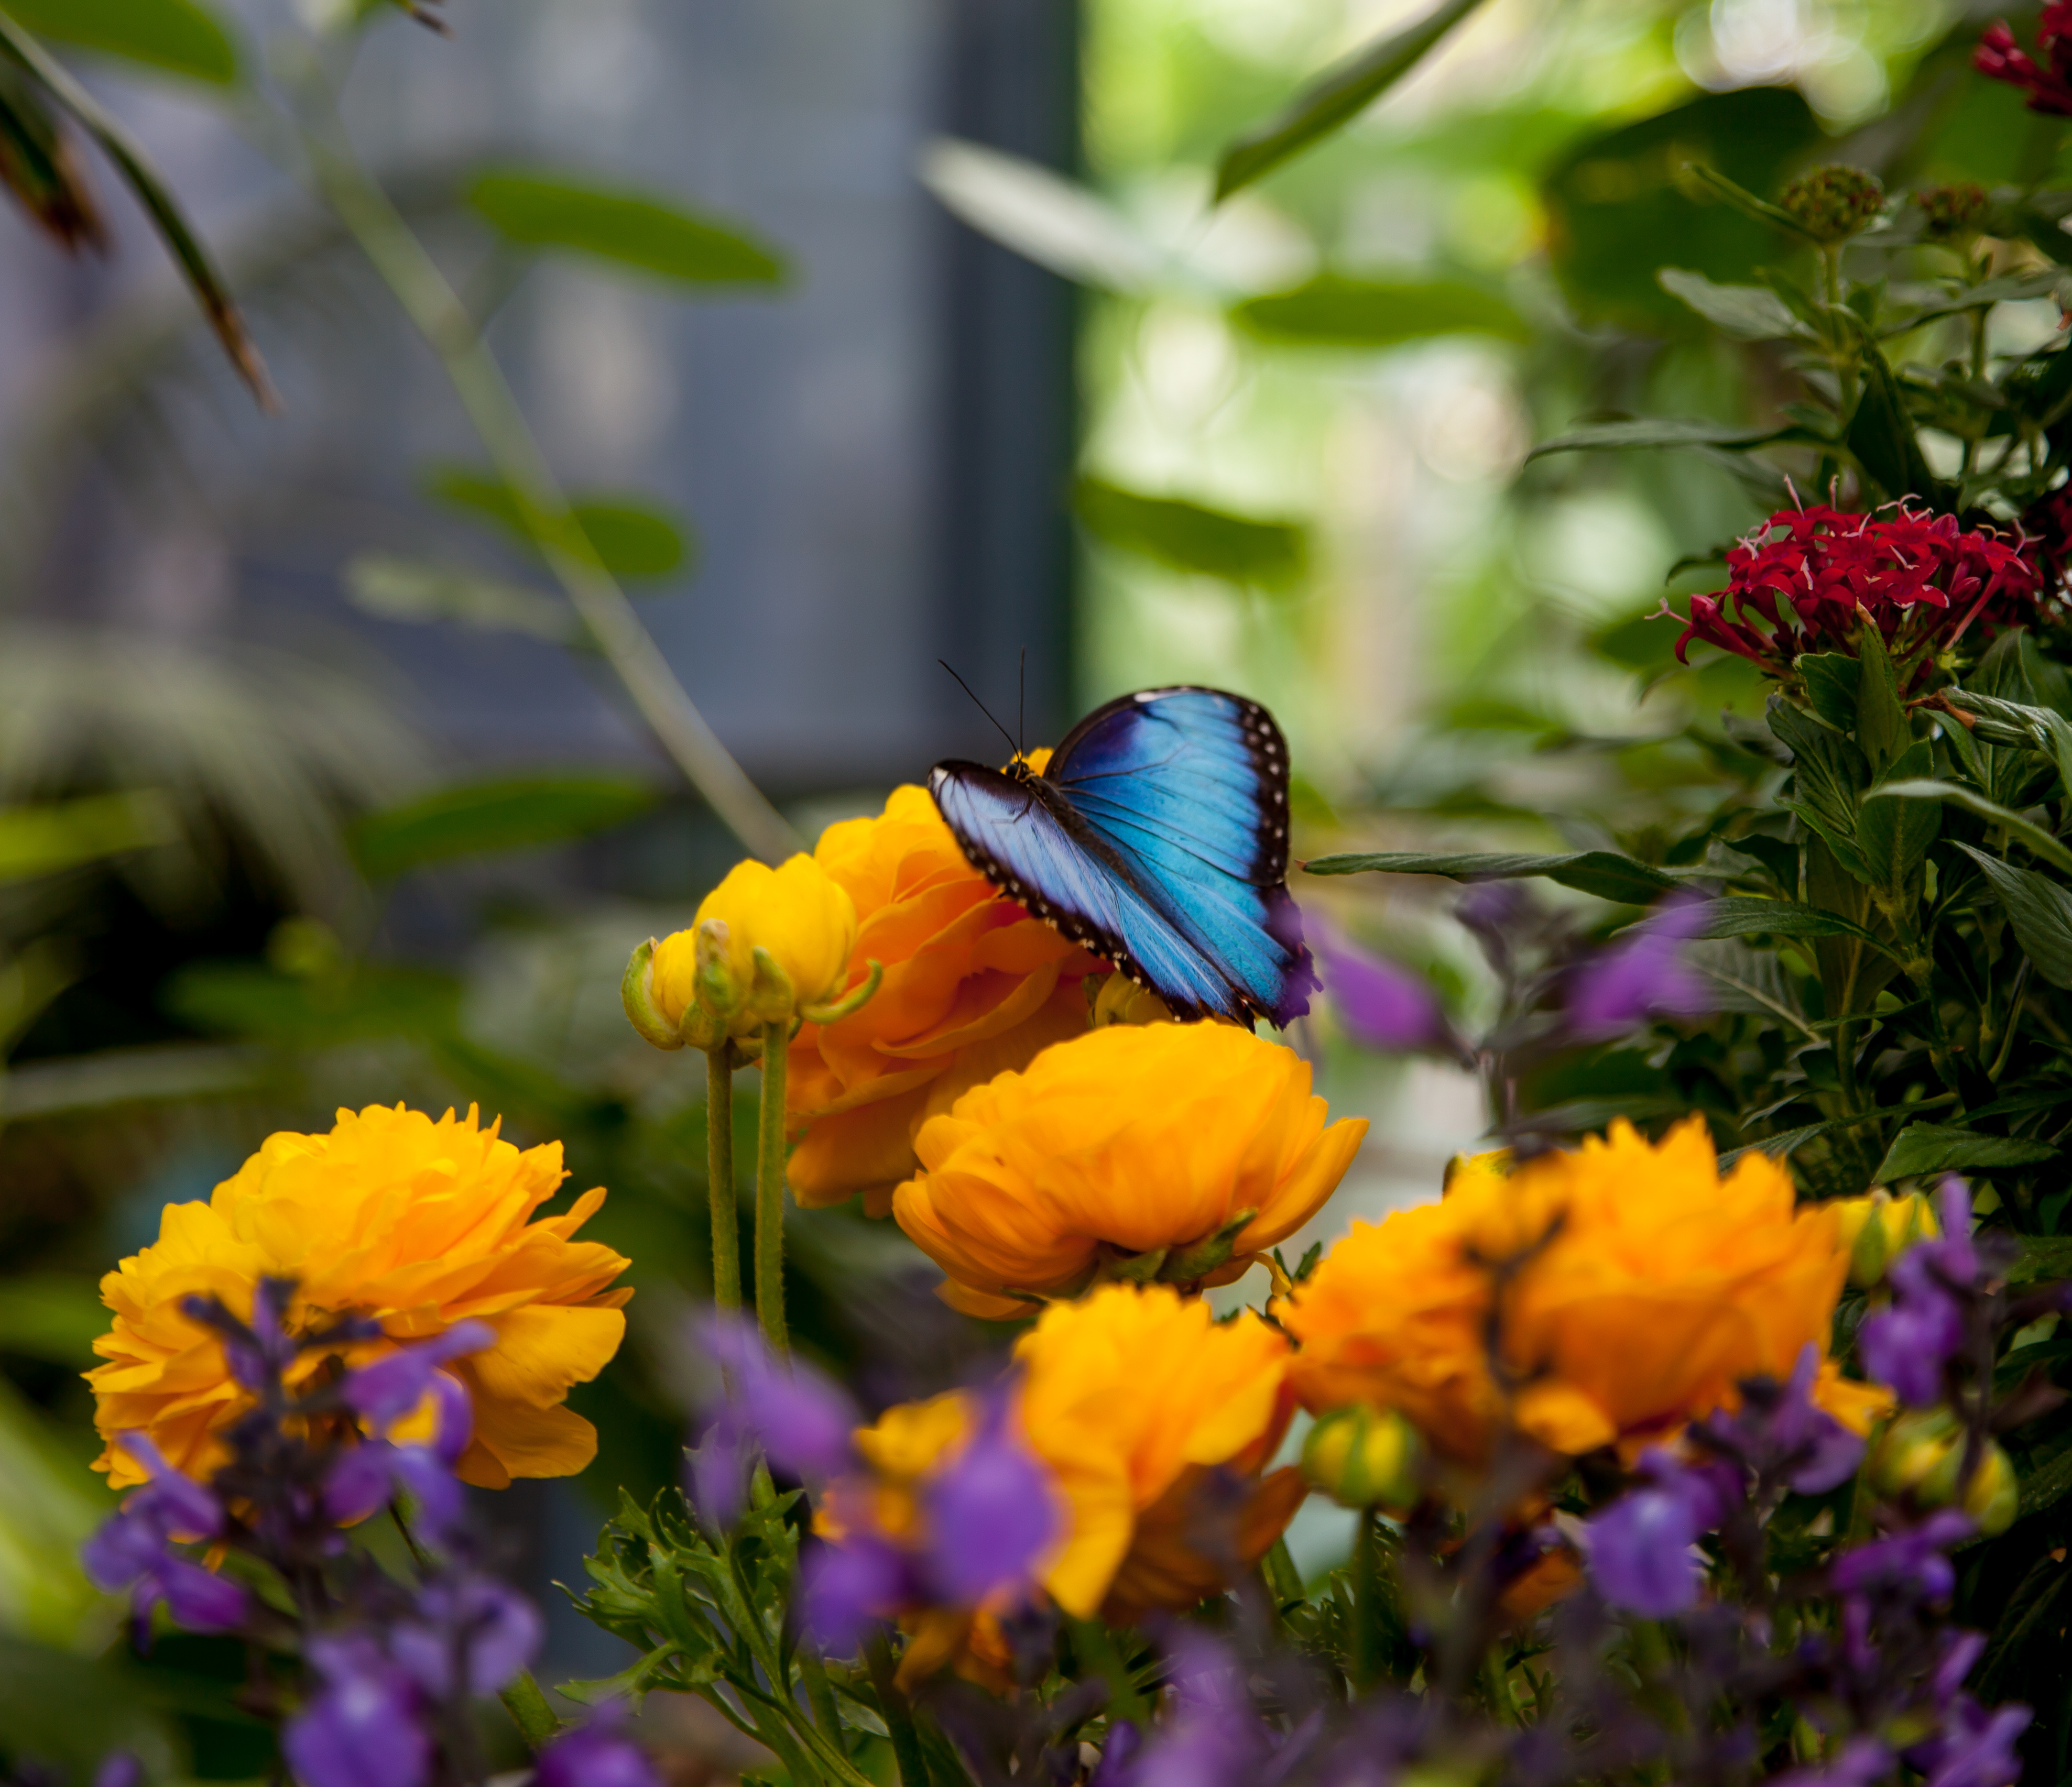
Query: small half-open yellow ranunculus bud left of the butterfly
x=797 y=914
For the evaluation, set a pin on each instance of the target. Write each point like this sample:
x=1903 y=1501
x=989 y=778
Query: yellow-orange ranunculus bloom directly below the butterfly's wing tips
x=1199 y=1140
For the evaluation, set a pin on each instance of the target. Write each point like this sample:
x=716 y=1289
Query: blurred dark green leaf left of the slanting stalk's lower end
x=494 y=817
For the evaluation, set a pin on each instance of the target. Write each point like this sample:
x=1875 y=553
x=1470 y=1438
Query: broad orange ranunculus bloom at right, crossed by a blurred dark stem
x=1650 y=1287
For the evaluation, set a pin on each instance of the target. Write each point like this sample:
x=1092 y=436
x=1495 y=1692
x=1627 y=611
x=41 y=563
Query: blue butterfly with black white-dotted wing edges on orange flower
x=1155 y=838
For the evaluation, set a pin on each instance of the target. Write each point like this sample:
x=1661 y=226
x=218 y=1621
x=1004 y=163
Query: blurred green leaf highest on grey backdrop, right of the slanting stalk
x=554 y=210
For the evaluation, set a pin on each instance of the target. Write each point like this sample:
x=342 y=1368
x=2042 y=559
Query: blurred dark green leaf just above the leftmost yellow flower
x=243 y=999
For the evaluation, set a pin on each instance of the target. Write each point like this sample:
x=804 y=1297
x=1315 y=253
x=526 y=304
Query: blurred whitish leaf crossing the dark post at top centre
x=1043 y=216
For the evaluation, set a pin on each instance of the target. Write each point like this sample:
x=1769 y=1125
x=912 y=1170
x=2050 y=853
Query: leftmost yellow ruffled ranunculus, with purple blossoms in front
x=411 y=1223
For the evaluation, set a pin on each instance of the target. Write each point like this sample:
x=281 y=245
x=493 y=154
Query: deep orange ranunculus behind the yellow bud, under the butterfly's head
x=973 y=987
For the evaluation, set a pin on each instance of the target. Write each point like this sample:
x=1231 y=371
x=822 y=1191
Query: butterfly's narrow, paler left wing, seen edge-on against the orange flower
x=1031 y=852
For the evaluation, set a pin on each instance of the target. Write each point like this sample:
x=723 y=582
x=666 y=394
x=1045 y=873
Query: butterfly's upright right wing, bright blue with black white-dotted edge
x=1190 y=790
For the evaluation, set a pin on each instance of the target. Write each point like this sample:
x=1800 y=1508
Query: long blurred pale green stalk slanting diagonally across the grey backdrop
x=484 y=392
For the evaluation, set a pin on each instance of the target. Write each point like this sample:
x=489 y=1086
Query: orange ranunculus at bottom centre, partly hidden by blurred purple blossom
x=1128 y=1401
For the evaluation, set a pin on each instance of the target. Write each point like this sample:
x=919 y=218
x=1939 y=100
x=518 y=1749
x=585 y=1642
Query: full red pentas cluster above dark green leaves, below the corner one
x=1808 y=579
